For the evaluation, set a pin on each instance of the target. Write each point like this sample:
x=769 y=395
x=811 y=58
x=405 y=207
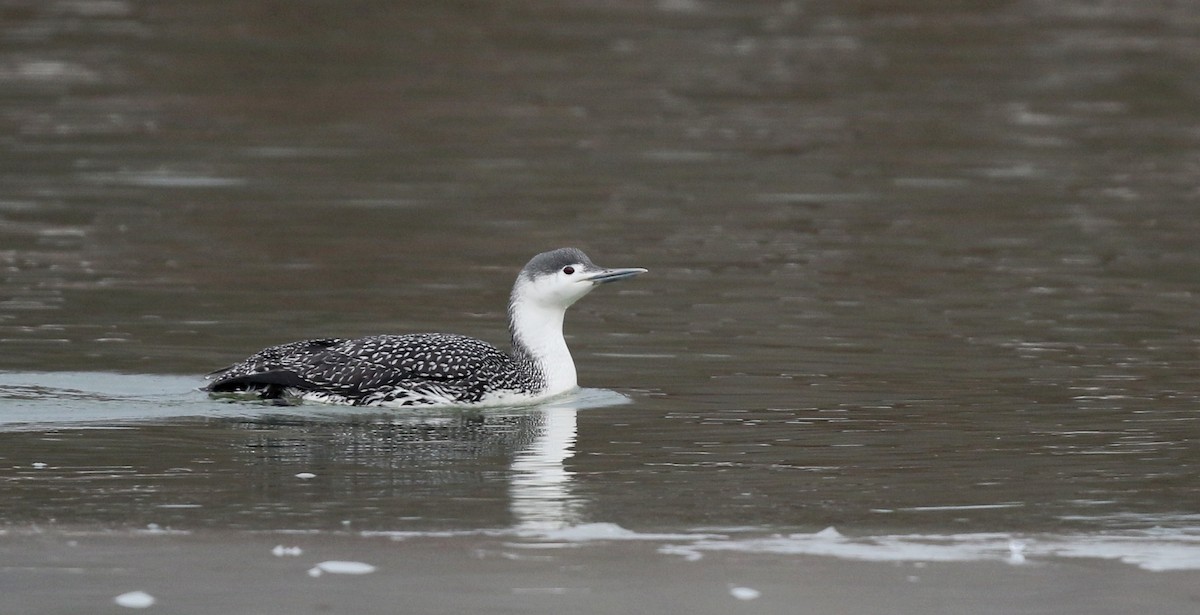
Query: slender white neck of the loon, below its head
x=538 y=331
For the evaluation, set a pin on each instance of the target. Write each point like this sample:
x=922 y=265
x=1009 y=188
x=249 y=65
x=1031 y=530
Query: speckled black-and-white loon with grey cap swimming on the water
x=433 y=369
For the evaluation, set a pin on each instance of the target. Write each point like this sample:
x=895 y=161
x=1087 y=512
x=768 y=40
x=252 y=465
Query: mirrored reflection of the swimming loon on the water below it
x=440 y=469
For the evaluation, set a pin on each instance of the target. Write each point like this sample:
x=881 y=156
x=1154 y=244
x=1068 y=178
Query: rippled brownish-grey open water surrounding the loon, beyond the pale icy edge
x=915 y=267
